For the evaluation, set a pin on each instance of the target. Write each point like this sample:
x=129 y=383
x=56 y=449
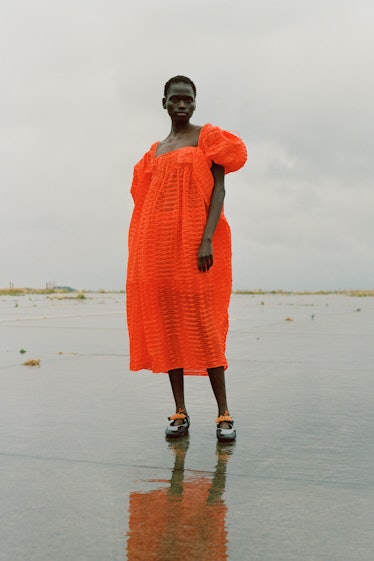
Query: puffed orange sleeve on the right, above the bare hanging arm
x=223 y=148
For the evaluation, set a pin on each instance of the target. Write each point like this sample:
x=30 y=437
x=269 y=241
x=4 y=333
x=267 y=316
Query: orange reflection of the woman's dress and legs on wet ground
x=184 y=521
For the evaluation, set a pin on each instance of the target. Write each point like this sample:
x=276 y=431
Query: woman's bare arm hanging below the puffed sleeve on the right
x=205 y=253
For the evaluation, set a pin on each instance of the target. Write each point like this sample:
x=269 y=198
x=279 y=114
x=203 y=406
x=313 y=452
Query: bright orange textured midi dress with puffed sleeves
x=178 y=316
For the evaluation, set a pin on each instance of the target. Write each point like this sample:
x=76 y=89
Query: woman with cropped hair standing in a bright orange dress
x=179 y=269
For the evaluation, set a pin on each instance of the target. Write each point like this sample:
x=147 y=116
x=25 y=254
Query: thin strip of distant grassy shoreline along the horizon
x=257 y=292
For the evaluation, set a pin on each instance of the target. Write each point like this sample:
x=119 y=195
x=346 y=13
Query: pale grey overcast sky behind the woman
x=80 y=102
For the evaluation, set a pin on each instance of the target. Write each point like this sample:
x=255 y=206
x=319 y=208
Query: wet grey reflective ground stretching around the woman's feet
x=86 y=473
